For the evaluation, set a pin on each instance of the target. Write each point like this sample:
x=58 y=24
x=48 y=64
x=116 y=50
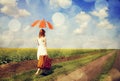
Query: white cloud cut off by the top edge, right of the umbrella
x=60 y=3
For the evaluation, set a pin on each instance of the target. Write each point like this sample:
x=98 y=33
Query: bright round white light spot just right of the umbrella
x=58 y=18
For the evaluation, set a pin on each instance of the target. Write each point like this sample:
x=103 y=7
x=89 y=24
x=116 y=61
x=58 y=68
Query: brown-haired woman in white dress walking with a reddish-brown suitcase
x=42 y=55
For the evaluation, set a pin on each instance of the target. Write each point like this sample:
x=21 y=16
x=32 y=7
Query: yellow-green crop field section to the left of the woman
x=8 y=55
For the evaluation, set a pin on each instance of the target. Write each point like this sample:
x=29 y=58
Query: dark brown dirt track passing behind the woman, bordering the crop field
x=10 y=69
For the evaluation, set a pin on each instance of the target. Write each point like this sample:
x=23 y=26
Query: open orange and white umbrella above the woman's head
x=42 y=24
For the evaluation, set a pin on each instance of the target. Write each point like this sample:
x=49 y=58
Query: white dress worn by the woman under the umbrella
x=42 y=49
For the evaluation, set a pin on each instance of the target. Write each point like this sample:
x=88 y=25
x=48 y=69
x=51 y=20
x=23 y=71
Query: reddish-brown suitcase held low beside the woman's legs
x=44 y=62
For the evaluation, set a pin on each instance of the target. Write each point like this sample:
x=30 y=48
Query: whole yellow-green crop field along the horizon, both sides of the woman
x=8 y=55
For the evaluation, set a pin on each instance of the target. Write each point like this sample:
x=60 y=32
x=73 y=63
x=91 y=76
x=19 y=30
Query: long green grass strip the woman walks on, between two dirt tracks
x=56 y=70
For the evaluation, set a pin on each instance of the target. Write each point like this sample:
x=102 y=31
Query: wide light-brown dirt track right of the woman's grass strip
x=88 y=72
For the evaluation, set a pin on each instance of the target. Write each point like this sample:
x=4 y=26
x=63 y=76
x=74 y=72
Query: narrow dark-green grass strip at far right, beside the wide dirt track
x=106 y=68
